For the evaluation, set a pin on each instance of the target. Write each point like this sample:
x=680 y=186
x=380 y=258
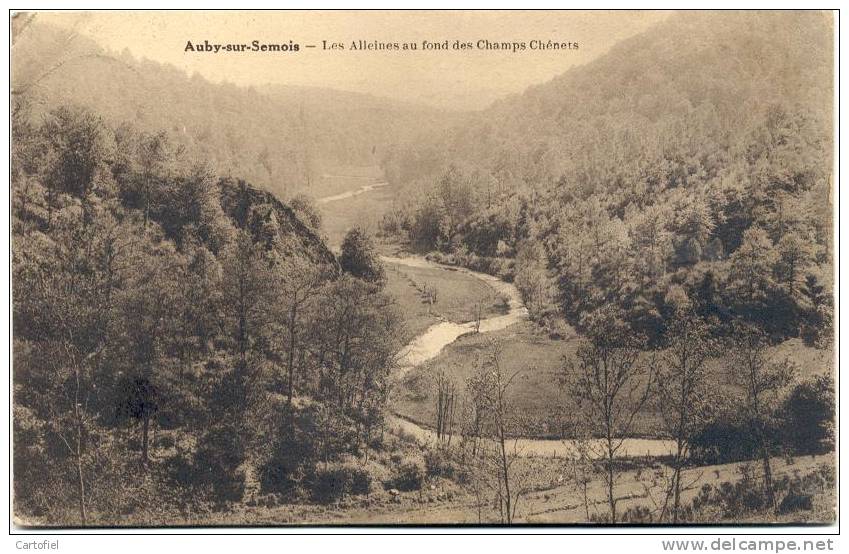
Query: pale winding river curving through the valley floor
x=430 y=344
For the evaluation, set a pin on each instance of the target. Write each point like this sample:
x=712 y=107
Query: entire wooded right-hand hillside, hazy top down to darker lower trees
x=690 y=166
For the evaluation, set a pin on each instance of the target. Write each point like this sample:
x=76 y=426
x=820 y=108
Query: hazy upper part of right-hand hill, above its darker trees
x=694 y=80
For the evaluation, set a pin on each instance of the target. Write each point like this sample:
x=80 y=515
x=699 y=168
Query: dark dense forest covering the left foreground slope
x=152 y=296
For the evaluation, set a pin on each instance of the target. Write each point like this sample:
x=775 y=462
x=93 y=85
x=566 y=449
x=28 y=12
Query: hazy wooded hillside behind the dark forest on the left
x=281 y=138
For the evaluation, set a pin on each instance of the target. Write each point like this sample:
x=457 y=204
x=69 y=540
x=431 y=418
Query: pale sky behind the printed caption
x=454 y=79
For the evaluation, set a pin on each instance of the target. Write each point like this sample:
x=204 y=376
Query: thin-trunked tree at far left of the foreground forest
x=73 y=315
